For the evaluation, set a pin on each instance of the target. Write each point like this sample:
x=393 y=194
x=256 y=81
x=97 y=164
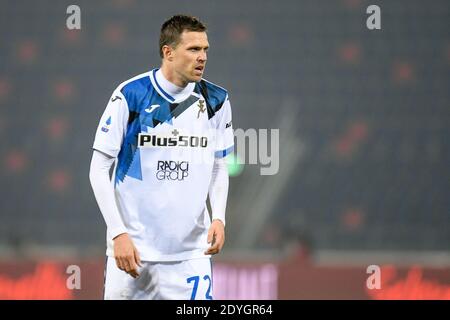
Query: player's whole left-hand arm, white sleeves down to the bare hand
x=108 y=141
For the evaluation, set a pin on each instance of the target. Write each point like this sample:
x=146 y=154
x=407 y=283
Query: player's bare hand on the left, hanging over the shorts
x=126 y=255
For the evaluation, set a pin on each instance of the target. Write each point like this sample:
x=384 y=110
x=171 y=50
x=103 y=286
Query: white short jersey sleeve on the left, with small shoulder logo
x=113 y=124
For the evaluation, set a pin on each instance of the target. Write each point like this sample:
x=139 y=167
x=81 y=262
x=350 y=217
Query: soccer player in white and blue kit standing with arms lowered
x=167 y=131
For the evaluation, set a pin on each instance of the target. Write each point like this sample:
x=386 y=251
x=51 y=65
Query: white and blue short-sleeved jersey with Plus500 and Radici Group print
x=165 y=147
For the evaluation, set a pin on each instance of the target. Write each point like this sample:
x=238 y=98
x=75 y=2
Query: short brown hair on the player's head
x=172 y=29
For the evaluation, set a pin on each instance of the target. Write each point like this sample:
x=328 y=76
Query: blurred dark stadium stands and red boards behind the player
x=364 y=119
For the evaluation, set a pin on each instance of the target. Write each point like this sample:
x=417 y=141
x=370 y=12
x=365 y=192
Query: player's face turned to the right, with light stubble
x=190 y=56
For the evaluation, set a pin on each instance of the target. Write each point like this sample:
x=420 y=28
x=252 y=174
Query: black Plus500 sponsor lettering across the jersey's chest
x=151 y=140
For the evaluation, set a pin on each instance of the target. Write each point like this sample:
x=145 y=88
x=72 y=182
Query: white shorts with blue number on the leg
x=174 y=280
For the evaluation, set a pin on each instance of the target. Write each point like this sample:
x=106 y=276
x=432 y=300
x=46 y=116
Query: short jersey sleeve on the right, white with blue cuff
x=224 y=127
